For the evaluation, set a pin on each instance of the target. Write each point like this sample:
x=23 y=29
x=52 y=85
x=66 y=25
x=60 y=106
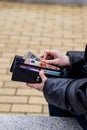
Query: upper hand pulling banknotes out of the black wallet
x=56 y=58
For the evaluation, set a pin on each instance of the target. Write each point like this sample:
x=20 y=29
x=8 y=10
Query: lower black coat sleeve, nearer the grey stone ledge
x=68 y=94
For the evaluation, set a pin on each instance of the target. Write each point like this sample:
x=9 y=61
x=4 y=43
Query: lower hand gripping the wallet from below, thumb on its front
x=39 y=86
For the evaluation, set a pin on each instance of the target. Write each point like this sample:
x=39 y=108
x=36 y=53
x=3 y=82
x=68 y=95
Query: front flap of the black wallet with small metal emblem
x=24 y=75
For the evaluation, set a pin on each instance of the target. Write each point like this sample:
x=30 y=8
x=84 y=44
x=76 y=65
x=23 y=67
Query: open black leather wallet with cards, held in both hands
x=30 y=73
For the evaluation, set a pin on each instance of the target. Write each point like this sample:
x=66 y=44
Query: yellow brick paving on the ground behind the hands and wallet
x=35 y=27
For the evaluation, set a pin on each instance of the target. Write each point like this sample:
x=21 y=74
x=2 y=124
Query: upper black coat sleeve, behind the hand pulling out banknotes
x=78 y=64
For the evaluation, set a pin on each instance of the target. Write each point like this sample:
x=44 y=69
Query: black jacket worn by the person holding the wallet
x=70 y=93
